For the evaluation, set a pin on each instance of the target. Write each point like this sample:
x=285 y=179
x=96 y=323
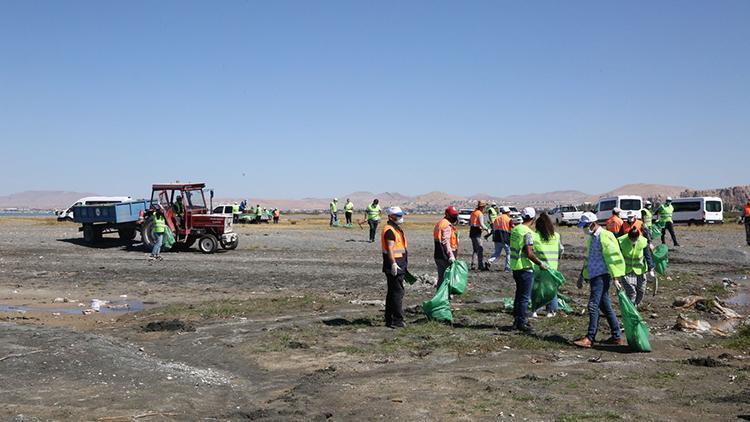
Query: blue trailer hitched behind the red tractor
x=123 y=218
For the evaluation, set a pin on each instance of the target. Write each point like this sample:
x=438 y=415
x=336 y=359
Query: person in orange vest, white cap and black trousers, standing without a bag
x=395 y=261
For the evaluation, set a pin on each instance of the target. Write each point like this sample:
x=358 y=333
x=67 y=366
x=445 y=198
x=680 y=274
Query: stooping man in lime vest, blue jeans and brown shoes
x=603 y=264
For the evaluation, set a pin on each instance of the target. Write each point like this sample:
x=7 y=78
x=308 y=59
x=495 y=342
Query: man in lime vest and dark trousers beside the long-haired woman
x=522 y=260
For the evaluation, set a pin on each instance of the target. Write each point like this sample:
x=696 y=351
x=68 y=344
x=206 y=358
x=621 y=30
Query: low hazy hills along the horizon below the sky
x=428 y=202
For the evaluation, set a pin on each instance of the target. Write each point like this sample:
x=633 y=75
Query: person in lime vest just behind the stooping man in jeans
x=638 y=261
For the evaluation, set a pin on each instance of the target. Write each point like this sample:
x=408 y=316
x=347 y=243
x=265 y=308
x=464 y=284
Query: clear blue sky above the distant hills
x=301 y=98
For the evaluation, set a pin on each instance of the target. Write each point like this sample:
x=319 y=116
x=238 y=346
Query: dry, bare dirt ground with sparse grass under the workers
x=283 y=329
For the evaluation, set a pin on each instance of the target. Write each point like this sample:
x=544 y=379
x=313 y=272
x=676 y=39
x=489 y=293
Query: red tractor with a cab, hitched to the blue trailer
x=188 y=217
